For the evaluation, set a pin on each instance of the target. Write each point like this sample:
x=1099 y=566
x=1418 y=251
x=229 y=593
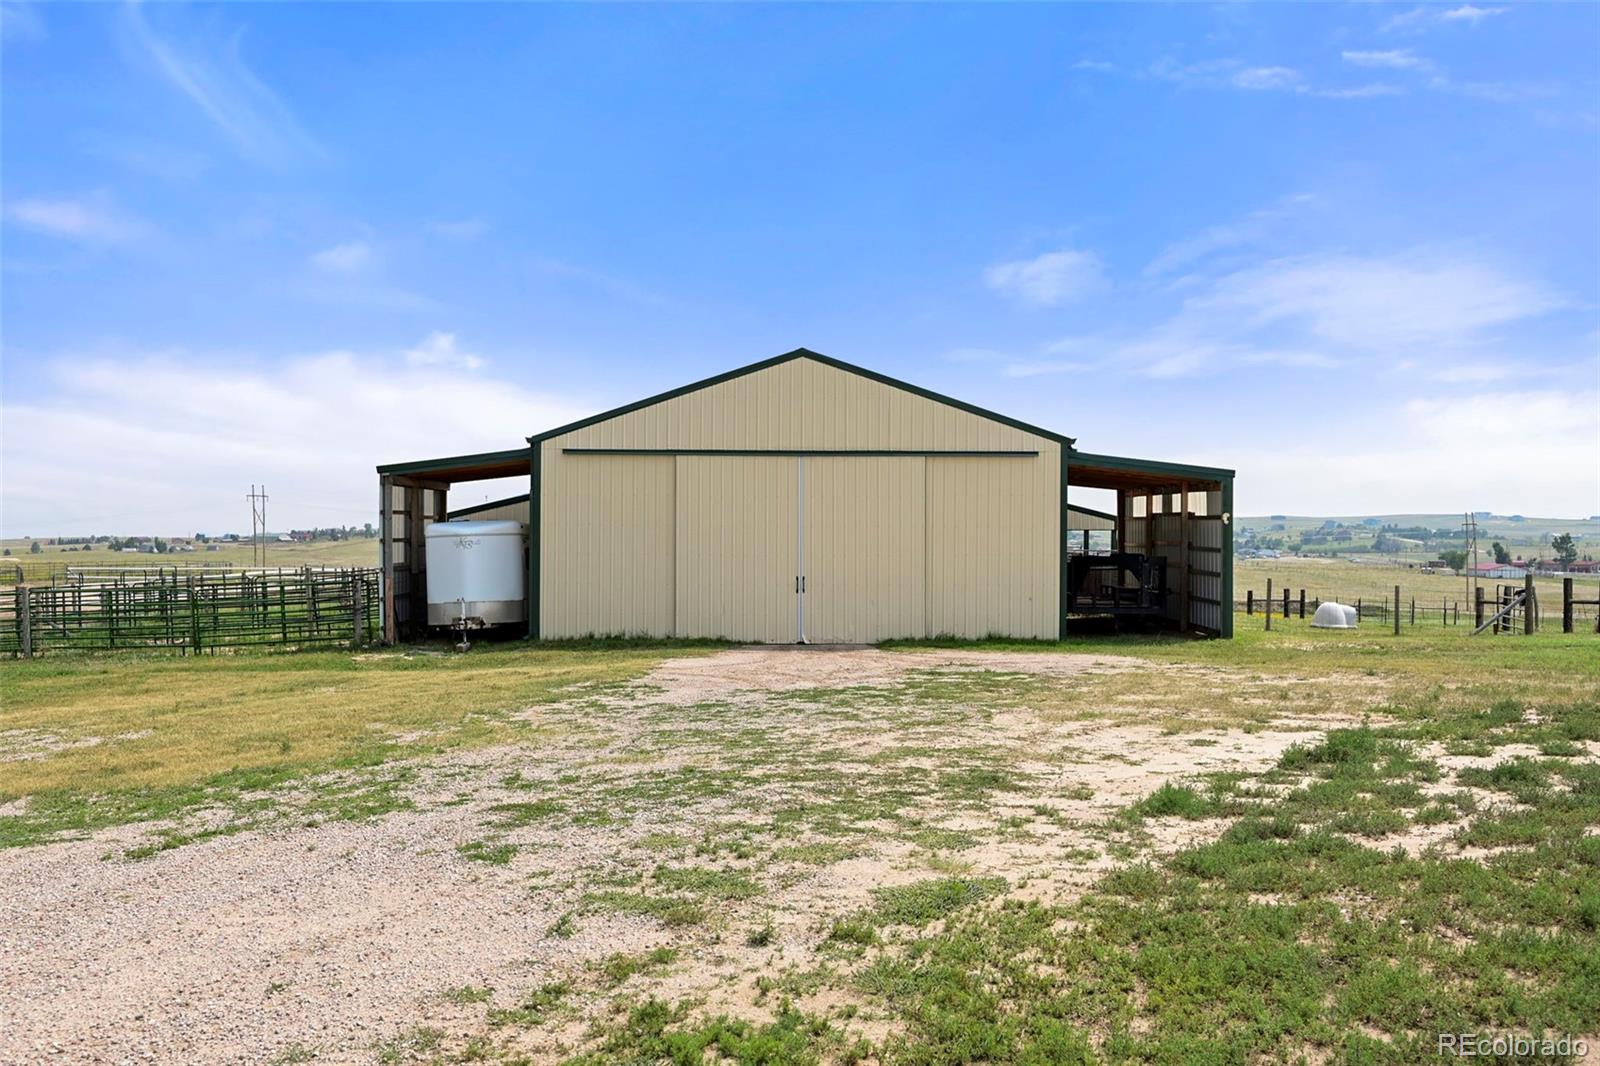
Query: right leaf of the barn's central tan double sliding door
x=865 y=548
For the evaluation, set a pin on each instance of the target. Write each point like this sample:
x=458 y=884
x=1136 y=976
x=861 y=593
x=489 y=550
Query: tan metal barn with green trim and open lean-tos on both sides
x=807 y=500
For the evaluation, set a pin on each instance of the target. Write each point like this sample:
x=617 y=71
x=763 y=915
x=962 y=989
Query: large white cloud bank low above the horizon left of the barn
x=169 y=443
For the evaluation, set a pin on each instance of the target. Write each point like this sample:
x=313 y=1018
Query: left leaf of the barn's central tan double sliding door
x=737 y=553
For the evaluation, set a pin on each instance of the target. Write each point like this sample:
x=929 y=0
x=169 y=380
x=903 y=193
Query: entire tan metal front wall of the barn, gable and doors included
x=993 y=526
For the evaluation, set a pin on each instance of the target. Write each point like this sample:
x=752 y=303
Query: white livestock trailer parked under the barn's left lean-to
x=476 y=572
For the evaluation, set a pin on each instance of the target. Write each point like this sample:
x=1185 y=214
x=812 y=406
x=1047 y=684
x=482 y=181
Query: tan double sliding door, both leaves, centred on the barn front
x=801 y=548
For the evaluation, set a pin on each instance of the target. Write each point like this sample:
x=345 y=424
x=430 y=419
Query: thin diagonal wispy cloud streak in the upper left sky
x=210 y=71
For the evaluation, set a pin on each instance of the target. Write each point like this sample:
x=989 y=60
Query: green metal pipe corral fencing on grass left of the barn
x=193 y=614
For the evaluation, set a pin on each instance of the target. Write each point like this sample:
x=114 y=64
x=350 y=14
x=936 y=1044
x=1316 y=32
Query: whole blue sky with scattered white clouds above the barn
x=1332 y=246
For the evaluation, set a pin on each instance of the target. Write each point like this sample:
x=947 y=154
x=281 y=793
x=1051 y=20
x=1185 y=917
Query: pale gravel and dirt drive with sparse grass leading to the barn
x=767 y=791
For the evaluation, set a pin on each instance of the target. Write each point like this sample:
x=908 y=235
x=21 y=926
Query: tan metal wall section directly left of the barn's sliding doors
x=607 y=548
